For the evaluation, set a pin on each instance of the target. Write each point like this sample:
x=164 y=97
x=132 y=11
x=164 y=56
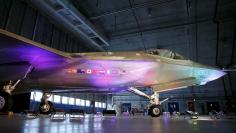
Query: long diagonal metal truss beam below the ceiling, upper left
x=65 y=14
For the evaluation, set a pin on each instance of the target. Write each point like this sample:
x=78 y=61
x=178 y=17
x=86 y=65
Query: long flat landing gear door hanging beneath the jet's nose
x=177 y=84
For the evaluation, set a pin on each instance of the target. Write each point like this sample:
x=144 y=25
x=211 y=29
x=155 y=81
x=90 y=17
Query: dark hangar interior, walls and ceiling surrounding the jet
x=202 y=31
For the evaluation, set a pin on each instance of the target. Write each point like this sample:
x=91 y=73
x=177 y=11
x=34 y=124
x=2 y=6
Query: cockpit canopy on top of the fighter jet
x=166 y=53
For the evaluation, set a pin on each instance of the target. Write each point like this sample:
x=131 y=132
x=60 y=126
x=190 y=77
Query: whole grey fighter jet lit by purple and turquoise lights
x=26 y=65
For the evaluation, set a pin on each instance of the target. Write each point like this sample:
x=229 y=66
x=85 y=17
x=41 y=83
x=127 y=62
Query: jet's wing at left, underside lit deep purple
x=18 y=53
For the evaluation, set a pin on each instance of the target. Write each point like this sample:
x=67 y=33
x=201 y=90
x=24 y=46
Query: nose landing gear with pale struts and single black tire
x=154 y=108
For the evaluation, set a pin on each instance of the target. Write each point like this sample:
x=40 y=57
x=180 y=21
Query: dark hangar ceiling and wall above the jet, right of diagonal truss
x=190 y=27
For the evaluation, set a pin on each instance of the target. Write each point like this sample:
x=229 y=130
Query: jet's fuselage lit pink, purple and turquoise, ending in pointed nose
x=124 y=69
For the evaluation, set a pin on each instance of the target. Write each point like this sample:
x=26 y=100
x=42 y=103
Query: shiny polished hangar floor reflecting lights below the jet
x=135 y=124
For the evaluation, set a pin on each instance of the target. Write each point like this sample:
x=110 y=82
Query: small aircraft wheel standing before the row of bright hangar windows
x=48 y=110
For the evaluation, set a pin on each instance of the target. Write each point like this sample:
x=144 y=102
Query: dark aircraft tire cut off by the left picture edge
x=6 y=101
